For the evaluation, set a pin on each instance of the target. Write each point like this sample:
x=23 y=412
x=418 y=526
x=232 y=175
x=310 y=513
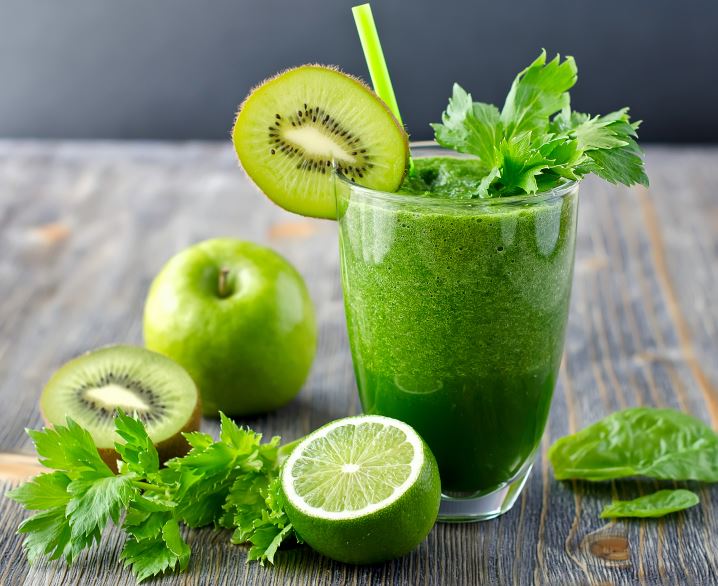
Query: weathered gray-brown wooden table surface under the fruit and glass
x=85 y=226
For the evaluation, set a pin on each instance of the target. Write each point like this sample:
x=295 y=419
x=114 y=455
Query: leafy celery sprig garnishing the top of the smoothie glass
x=536 y=142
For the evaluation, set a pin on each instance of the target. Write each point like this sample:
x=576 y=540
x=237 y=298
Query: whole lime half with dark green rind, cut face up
x=362 y=489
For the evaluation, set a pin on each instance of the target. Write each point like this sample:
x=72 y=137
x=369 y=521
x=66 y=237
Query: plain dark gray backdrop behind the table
x=176 y=69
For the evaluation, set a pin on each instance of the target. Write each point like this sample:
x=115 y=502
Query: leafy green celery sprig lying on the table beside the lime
x=228 y=483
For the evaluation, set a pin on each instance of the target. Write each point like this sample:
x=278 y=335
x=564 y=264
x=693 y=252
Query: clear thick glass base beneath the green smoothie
x=483 y=505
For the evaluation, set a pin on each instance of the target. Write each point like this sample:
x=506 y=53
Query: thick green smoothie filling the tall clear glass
x=456 y=311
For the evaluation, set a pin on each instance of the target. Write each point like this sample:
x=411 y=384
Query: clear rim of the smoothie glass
x=421 y=200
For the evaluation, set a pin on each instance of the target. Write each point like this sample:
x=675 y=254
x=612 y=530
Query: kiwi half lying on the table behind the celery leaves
x=144 y=384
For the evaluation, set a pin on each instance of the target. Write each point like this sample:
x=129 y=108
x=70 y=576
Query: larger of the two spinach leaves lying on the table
x=657 y=443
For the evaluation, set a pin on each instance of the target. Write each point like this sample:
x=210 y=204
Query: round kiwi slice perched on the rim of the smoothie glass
x=294 y=128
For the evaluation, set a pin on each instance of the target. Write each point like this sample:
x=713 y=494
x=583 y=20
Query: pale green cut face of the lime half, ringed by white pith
x=353 y=467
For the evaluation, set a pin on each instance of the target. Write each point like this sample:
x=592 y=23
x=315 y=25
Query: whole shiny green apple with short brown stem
x=239 y=318
